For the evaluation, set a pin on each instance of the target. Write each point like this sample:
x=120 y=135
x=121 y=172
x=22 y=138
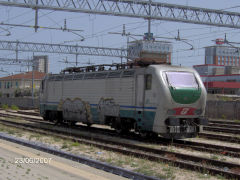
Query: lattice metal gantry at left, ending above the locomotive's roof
x=62 y=49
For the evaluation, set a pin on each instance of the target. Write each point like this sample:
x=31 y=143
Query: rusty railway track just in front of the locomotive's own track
x=201 y=164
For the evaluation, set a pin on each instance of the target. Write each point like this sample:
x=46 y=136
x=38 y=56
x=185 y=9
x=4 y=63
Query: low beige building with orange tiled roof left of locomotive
x=20 y=84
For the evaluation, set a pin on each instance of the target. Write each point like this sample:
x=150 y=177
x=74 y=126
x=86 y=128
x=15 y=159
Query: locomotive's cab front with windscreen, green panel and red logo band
x=185 y=118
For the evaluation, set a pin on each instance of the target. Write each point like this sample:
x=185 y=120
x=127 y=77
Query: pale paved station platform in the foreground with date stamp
x=20 y=162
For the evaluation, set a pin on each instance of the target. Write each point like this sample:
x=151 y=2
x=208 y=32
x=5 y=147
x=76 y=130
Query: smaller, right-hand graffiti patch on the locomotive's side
x=107 y=107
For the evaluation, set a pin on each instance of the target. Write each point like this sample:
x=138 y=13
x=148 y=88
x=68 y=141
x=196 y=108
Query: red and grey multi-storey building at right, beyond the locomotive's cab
x=221 y=71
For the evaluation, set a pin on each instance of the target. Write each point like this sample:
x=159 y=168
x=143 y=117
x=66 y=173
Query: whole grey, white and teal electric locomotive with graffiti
x=159 y=99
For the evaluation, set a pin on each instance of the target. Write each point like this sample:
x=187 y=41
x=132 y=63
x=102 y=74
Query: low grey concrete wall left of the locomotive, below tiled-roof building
x=25 y=103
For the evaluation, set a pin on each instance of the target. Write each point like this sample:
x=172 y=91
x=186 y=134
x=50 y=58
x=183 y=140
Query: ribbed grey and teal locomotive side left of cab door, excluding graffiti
x=120 y=92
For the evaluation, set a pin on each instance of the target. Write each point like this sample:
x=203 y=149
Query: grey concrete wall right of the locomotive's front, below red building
x=223 y=109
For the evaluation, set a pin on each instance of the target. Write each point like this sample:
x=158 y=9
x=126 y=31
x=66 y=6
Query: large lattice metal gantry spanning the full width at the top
x=137 y=9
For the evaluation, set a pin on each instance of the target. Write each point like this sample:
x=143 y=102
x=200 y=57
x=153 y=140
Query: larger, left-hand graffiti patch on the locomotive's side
x=76 y=110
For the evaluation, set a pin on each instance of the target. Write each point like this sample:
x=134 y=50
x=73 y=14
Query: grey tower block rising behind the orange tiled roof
x=40 y=64
